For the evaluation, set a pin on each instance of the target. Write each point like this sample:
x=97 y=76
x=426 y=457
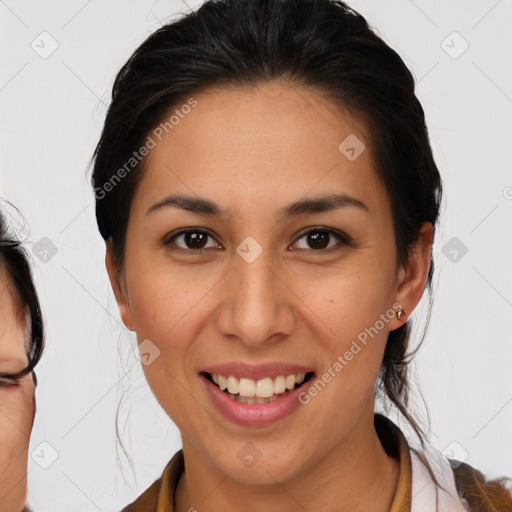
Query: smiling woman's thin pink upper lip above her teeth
x=255 y=371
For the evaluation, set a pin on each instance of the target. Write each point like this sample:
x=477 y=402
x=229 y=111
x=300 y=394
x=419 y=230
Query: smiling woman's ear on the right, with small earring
x=412 y=277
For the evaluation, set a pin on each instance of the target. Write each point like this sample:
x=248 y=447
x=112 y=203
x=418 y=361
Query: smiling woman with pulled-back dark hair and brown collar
x=268 y=197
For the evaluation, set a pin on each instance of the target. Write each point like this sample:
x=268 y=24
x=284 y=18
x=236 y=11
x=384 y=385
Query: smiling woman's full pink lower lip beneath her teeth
x=256 y=415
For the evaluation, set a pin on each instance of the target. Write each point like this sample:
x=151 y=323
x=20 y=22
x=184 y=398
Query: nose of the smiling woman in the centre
x=257 y=306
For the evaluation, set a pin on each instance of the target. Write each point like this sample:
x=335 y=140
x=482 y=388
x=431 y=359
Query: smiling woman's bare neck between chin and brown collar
x=356 y=475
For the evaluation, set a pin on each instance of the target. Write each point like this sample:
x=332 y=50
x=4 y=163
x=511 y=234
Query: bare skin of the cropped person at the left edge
x=16 y=403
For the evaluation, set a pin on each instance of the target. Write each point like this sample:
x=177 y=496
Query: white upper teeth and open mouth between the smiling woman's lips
x=262 y=391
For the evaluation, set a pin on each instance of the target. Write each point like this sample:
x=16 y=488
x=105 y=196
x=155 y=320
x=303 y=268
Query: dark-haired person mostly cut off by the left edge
x=21 y=346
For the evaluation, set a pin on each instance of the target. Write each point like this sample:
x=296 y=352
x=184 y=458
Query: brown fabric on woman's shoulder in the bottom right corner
x=479 y=493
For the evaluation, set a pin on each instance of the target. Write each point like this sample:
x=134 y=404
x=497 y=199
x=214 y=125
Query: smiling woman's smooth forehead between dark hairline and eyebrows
x=273 y=141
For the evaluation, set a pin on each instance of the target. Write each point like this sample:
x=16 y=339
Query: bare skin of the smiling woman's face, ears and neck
x=254 y=150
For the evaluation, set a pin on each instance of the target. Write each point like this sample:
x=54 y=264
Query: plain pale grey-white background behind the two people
x=52 y=107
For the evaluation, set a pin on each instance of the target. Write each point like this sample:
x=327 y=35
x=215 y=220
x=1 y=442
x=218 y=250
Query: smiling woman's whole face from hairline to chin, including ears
x=259 y=289
